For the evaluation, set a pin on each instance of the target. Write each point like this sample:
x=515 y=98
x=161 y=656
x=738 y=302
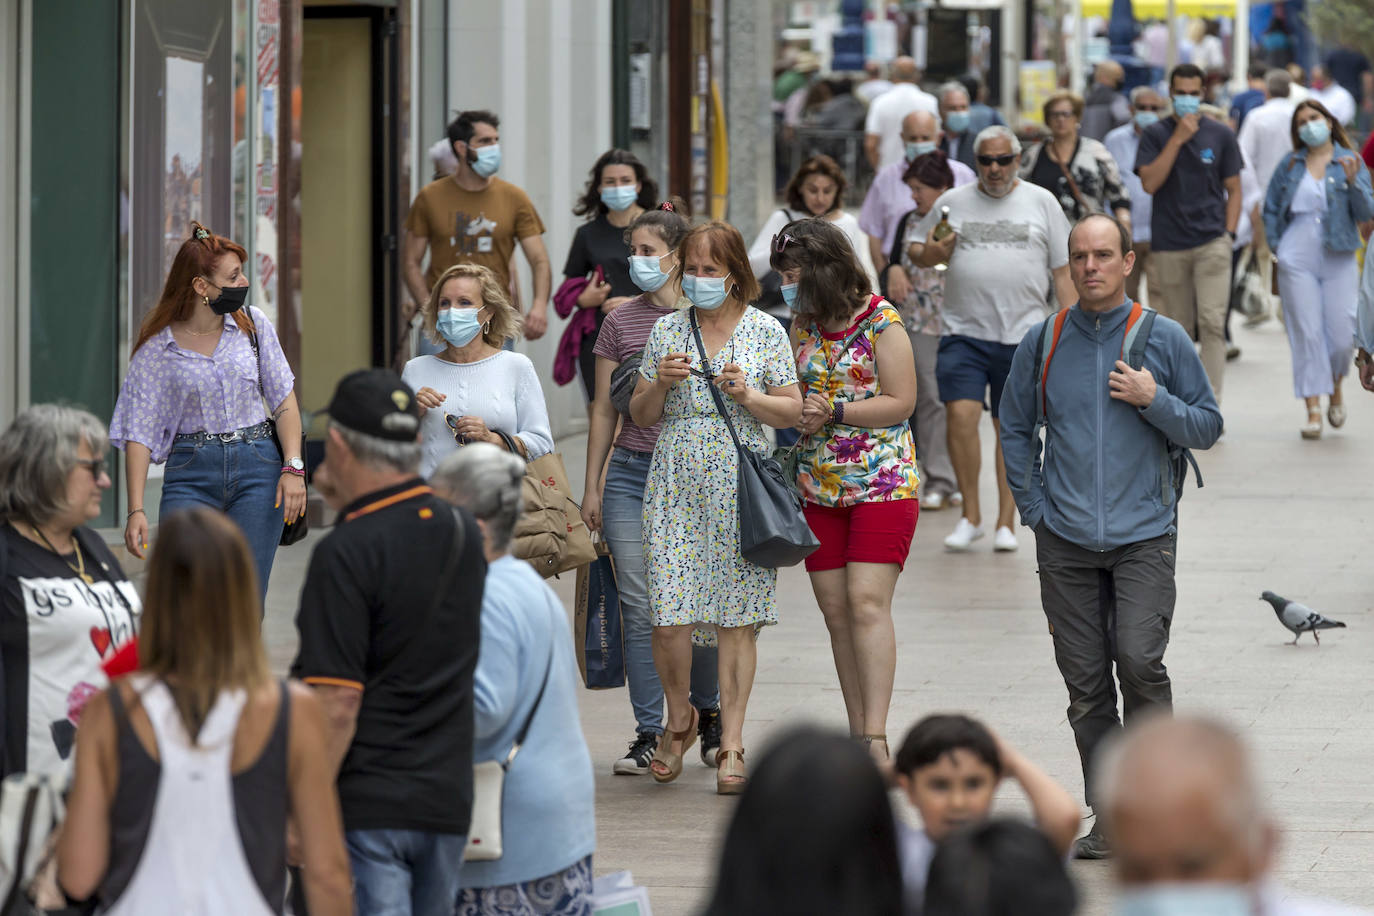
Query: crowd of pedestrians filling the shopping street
x=846 y=360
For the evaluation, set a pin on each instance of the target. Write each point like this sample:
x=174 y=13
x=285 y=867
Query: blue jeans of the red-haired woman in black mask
x=240 y=480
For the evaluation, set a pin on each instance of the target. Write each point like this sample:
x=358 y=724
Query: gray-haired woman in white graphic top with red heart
x=65 y=604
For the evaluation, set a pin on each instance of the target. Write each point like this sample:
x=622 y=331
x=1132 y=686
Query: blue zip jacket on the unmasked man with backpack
x=1105 y=479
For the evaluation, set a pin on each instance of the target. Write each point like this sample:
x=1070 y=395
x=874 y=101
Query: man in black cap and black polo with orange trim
x=390 y=627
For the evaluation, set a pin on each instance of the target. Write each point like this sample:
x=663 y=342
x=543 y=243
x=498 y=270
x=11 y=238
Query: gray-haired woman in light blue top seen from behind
x=527 y=676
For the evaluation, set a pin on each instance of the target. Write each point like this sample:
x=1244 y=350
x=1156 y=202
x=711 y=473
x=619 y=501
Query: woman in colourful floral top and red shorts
x=857 y=466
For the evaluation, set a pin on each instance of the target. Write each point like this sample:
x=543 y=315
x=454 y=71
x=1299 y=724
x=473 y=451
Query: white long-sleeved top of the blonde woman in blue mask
x=504 y=391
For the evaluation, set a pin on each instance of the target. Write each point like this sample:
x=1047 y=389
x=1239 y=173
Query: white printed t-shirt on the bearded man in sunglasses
x=1000 y=274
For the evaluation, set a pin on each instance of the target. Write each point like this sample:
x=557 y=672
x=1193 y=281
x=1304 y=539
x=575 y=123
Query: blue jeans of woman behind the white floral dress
x=623 y=524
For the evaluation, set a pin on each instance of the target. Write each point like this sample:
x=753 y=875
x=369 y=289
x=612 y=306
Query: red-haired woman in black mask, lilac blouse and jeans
x=204 y=374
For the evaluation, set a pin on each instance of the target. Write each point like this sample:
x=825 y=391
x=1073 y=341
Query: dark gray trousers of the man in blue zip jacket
x=1108 y=608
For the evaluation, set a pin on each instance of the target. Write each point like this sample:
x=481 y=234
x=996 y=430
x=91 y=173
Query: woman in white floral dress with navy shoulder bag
x=696 y=572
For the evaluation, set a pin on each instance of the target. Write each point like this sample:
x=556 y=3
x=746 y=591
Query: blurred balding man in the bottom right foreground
x=1184 y=811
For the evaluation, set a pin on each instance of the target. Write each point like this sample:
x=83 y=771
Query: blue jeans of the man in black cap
x=405 y=873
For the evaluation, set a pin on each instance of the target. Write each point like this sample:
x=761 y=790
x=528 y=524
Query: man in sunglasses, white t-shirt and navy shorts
x=1011 y=245
